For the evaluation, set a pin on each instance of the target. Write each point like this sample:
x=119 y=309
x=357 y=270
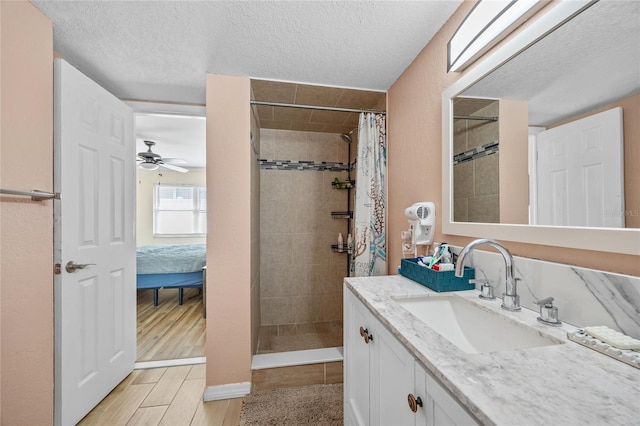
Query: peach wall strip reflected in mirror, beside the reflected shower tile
x=514 y=174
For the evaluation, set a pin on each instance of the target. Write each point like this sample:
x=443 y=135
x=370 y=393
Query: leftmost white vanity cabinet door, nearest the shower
x=356 y=361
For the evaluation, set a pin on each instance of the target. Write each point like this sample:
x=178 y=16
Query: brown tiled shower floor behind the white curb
x=296 y=337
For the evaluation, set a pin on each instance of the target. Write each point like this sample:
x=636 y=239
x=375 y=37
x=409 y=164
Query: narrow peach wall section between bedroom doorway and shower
x=229 y=228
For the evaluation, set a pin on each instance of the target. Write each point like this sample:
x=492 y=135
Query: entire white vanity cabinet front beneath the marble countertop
x=382 y=377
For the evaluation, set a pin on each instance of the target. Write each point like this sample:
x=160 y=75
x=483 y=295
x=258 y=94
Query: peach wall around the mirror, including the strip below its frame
x=414 y=130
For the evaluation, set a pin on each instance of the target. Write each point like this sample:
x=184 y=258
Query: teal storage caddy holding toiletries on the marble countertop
x=436 y=280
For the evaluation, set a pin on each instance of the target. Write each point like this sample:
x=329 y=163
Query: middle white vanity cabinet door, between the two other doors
x=393 y=381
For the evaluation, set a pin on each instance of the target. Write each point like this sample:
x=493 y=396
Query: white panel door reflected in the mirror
x=580 y=173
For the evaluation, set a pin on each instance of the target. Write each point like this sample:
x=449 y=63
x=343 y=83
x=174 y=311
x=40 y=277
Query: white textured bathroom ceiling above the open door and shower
x=161 y=50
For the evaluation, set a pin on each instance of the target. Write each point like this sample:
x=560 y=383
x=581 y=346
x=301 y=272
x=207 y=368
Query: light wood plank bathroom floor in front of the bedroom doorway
x=164 y=396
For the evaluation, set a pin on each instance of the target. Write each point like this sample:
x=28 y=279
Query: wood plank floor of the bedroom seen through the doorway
x=170 y=331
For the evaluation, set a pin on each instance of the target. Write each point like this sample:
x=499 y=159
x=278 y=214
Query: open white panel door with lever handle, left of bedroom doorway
x=95 y=321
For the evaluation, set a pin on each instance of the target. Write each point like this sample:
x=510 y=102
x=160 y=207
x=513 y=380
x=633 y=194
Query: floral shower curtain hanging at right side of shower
x=370 y=241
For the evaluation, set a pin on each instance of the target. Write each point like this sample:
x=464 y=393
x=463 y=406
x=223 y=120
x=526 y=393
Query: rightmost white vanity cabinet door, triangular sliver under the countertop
x=440 y=407
